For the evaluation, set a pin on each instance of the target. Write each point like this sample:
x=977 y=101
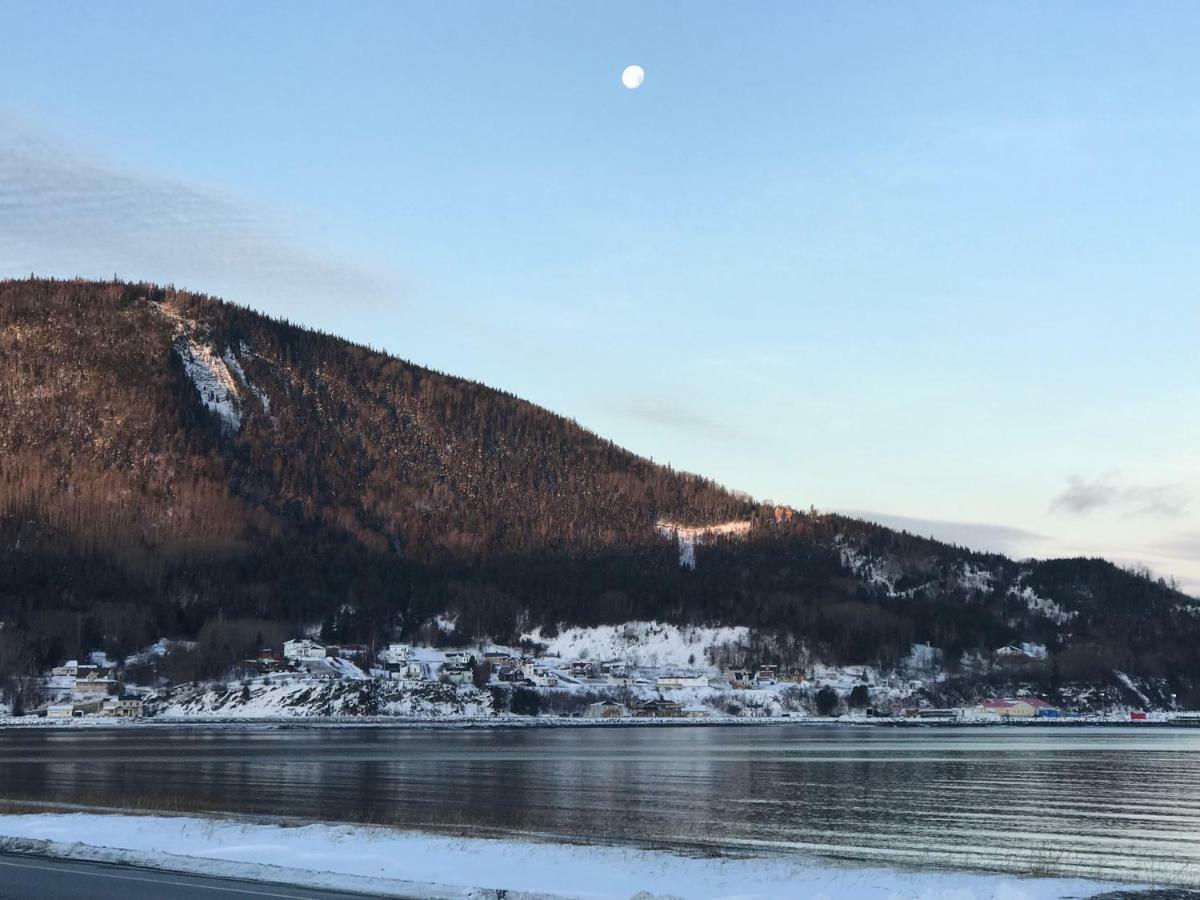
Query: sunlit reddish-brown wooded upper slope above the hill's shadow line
x=103 y=430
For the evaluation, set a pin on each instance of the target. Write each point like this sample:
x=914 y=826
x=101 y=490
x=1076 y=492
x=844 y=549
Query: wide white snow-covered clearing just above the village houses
x=641 y=644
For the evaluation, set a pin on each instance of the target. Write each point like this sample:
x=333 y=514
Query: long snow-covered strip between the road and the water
x=387 y=862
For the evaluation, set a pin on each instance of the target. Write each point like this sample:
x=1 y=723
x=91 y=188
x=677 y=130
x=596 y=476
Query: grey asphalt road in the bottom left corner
x=26 y=877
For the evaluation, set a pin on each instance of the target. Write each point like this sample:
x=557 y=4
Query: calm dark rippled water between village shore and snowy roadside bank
x=1096 y=801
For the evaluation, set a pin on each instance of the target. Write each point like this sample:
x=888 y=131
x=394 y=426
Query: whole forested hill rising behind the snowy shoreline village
x=169 y=461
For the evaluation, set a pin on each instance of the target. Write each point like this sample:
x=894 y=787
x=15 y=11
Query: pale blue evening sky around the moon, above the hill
x=932 y=265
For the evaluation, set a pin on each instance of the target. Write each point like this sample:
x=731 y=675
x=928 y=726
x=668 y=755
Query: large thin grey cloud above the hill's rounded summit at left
x=63 y=213
